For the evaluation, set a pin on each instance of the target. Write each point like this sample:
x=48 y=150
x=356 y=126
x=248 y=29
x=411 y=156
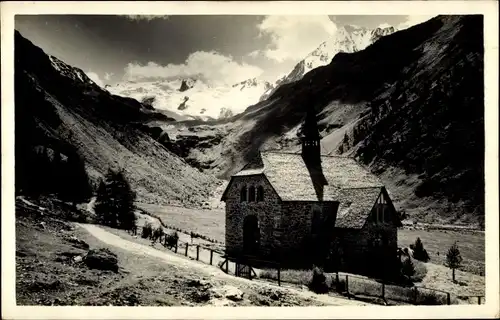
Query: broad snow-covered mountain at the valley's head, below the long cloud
x=193 y=97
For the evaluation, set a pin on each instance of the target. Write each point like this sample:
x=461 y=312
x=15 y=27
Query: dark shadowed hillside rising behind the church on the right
x=410 y=107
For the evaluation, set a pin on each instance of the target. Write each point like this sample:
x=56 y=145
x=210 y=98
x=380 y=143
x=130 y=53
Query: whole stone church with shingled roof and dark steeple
x=301 y=209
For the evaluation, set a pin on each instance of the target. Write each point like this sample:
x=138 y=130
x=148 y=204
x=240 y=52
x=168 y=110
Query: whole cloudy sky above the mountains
x=223 y=49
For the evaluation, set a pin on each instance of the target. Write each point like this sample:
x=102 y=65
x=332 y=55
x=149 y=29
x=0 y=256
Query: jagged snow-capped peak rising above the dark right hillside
x=347 y=39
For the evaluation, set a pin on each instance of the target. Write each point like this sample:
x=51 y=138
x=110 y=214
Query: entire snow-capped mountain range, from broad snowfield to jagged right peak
x=195 y=99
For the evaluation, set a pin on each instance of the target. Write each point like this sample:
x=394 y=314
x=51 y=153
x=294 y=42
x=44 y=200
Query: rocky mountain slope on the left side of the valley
x=63 y=116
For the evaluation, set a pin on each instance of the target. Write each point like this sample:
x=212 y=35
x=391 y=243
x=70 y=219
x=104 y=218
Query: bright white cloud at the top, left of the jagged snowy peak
x=293 y=37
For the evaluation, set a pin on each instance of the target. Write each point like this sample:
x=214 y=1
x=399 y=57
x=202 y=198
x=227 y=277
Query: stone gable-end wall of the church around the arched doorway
x=236 y=211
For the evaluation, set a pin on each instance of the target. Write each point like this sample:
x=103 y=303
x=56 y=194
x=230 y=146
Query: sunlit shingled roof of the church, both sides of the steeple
x=350 y=184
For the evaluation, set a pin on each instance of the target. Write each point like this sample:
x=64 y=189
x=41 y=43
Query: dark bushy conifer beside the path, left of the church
x=115 y=201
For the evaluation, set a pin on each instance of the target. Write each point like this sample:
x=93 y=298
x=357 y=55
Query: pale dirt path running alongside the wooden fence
x=178 y=261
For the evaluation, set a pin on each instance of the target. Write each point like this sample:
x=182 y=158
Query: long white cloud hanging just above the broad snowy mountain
x=213 y=67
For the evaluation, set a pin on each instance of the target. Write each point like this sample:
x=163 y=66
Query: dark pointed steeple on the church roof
x=311 y=148
